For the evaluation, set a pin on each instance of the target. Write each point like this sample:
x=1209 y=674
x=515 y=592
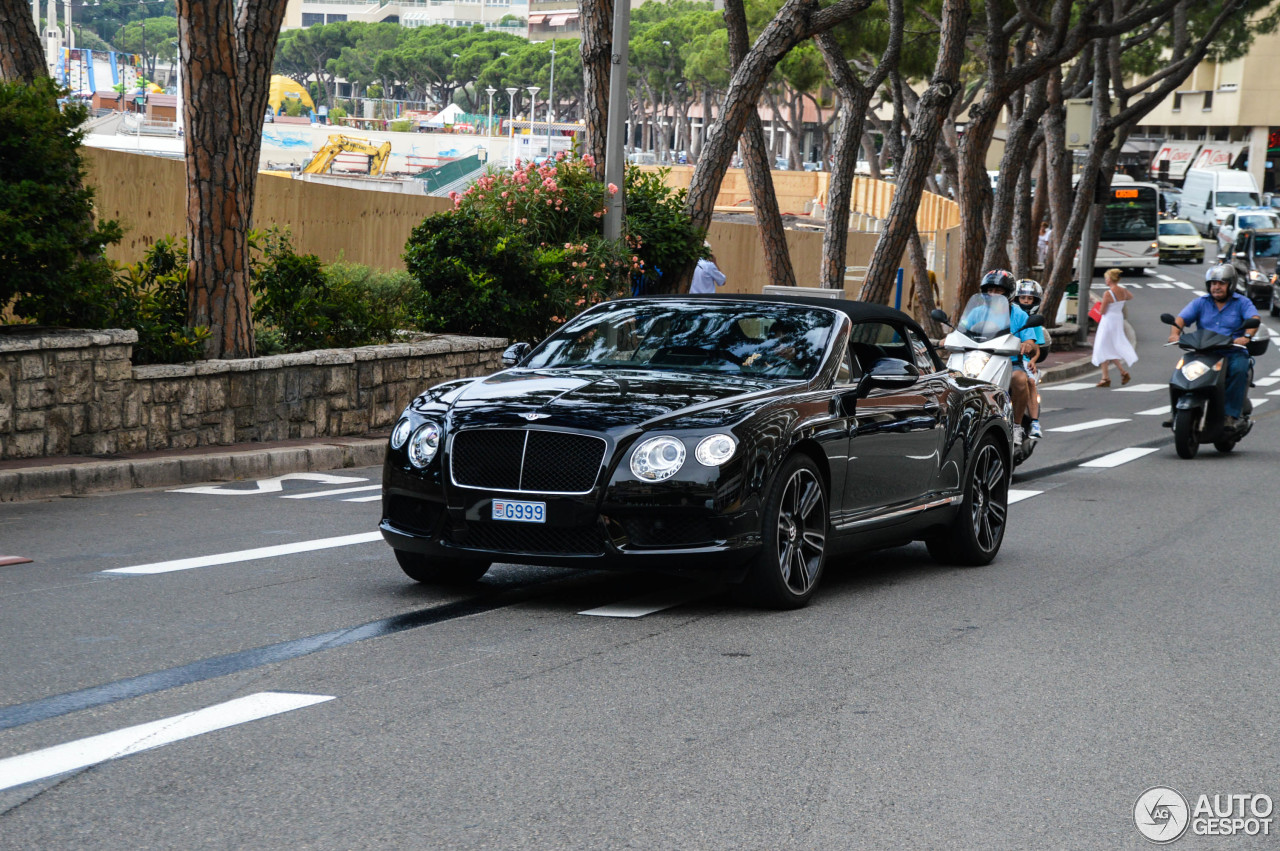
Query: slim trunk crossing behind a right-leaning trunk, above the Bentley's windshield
x=756 y=161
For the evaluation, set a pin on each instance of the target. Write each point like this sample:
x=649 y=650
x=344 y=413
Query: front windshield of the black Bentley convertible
x=698 y=336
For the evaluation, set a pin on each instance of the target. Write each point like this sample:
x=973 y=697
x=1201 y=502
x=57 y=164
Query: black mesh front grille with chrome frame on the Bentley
x=527 y=461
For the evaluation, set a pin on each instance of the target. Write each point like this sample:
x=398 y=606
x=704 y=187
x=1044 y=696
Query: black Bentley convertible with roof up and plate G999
x=752 y=437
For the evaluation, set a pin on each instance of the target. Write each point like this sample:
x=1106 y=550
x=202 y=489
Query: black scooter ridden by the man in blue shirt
x=1199 y=387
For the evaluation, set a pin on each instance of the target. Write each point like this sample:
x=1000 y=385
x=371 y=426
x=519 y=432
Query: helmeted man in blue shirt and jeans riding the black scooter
x=1224 y=312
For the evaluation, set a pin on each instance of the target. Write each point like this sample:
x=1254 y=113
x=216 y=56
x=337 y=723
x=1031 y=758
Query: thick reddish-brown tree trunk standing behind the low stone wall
x=227 y=66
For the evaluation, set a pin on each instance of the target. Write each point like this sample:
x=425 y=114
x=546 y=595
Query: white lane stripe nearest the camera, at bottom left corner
x=84 y=753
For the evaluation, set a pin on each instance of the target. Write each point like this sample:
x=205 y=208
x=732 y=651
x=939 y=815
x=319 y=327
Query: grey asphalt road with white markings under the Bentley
x=181 y=672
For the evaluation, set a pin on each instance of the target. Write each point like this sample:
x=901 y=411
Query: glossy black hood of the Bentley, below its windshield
x=596 y=400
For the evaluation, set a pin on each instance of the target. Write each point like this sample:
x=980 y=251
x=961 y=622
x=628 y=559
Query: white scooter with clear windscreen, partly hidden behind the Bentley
x=982 y=347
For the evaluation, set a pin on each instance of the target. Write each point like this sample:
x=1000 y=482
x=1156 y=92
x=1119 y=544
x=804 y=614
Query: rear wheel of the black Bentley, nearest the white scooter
x=975 y=536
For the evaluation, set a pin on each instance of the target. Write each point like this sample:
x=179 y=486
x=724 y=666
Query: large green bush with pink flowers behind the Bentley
x=523 y=251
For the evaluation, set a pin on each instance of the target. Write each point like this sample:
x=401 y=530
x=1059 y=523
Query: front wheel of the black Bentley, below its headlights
x=794 y=542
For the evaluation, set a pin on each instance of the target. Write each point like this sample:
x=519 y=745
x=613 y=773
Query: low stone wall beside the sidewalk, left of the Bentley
x=79 y=394
